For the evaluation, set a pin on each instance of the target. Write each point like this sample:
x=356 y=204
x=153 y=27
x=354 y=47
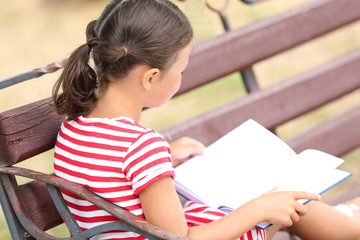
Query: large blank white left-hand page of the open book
x=238 y=167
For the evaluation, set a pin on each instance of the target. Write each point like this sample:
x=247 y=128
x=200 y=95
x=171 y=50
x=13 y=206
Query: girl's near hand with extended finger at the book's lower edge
x=282 y=208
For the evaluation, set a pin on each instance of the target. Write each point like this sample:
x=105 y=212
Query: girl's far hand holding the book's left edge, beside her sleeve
x=183 y=149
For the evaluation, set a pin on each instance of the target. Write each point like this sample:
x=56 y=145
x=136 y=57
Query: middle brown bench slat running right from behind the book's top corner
x=278 y=104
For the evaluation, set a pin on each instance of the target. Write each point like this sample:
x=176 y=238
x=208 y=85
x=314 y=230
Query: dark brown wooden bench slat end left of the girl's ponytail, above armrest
x=27 y=131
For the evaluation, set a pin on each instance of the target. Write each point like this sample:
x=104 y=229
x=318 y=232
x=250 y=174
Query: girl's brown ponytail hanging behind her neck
x=78 y=83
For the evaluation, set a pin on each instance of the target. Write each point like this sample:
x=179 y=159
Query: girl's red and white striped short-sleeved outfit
x=116 y=159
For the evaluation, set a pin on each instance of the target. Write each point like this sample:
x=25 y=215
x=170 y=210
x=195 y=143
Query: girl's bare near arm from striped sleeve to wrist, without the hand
x=162 y=207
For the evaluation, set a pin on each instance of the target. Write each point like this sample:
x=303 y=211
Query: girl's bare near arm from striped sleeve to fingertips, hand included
x=162 y=207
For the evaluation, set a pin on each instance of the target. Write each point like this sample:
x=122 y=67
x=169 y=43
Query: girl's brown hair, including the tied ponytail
x=128 y=33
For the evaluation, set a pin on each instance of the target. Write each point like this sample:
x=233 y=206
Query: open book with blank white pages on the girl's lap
x=250 y=161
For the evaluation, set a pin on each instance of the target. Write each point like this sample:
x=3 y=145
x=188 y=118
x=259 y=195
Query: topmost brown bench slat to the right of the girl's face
x=241 y=48
